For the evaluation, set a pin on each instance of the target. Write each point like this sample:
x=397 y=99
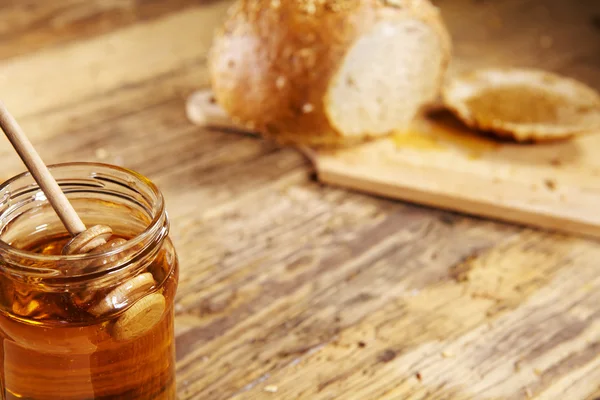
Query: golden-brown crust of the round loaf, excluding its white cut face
x=272 y=61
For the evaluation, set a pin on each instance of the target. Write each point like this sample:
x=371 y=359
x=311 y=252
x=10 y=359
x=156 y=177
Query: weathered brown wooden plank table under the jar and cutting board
x=291 y=289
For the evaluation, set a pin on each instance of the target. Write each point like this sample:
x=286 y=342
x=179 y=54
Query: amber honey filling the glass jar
x=53 y=348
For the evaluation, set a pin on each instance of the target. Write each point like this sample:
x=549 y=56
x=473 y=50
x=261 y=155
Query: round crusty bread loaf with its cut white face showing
x=328 y=72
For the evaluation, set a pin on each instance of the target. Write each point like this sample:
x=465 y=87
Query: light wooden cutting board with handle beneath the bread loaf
x=441 y=163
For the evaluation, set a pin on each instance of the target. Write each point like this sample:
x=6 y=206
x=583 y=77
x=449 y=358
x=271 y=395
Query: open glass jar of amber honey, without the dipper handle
x=86 y=326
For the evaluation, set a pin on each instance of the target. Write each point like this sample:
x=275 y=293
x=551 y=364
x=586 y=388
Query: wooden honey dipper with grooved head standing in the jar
x=144 y=313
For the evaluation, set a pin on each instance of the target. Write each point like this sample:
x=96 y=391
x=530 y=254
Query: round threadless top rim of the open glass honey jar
x=147 y=234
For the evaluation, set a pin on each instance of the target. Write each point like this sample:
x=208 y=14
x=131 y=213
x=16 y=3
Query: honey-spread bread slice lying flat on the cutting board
x=527 y=105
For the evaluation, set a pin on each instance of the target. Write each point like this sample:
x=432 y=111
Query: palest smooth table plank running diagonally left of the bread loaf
x=60 y=77
